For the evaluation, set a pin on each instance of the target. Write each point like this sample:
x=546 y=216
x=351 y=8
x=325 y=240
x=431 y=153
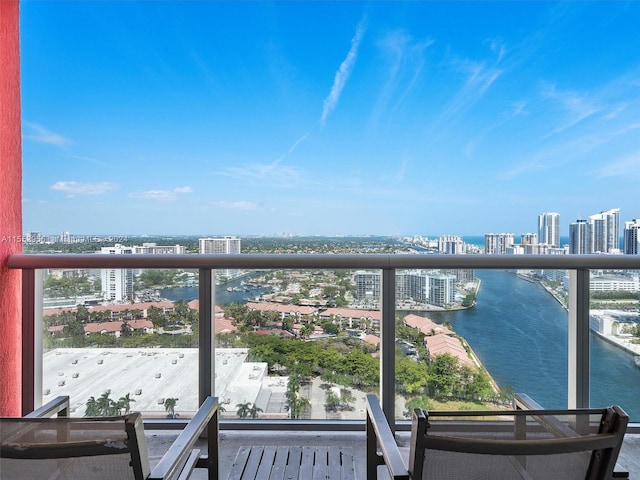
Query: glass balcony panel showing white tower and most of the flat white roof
x=113 y=342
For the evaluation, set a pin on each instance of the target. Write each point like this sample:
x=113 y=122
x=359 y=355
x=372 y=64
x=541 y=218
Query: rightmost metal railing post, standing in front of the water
x=578 y=338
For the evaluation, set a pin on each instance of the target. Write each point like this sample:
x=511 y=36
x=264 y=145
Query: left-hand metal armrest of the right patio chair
x=379 y=434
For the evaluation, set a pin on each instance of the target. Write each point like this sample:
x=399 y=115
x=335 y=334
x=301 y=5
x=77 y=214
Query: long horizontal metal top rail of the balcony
x=346 y=261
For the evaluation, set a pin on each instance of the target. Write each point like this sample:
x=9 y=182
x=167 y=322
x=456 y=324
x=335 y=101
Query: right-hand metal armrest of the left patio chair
x=203 y=423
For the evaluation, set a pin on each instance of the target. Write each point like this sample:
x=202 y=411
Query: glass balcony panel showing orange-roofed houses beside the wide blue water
x=507 y=333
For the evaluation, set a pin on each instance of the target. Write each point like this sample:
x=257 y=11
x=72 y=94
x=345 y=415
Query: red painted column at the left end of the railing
x=10 y=209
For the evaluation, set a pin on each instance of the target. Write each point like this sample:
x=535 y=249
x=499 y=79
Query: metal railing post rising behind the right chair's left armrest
x=388 y=345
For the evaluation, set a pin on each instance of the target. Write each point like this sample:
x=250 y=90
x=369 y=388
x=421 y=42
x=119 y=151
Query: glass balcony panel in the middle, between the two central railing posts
x=295 y=348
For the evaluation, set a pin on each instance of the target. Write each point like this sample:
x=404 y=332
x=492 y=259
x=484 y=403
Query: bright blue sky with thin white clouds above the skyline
x=327 y=118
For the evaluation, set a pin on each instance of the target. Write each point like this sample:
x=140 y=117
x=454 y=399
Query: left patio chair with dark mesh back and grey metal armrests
x=39 y=447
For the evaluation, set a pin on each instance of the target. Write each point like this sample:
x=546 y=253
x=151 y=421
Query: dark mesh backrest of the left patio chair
x=72 y=448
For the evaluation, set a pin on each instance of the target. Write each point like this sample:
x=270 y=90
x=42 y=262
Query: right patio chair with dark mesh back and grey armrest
x=500 y=445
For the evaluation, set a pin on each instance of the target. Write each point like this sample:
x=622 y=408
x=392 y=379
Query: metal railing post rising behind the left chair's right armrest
x=206 y=345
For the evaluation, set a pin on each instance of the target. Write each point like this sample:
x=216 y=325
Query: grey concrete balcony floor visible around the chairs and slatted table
x=231 y=440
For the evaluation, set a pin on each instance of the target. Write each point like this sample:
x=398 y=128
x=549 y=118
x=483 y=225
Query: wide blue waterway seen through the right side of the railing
x=519 y=332
